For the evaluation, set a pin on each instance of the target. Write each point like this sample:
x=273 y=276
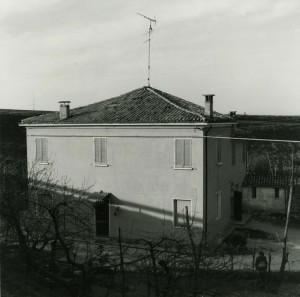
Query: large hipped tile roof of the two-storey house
x=143 y=105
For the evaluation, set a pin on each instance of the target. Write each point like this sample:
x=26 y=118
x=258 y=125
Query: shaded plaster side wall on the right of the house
x=225 y=177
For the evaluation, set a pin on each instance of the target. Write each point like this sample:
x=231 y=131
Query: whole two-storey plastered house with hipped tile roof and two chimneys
x=152 y=153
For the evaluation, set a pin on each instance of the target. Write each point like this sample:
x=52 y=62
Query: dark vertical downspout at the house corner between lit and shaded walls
x=205 y=182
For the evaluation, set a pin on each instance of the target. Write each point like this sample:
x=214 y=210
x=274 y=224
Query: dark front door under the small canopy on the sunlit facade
x=102 y=218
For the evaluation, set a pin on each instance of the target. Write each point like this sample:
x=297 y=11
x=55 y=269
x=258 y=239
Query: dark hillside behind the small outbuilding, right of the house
x=271 y=157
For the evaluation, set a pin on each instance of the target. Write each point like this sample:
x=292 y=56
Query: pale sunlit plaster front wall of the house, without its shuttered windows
x=140 y=172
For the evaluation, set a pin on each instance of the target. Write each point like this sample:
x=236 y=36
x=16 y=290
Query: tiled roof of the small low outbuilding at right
x=280 y=181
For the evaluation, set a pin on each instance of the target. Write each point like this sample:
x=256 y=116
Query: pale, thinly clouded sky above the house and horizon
x=245 y=52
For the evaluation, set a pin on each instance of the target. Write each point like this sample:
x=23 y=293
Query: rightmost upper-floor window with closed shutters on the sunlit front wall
x=183 y=153
